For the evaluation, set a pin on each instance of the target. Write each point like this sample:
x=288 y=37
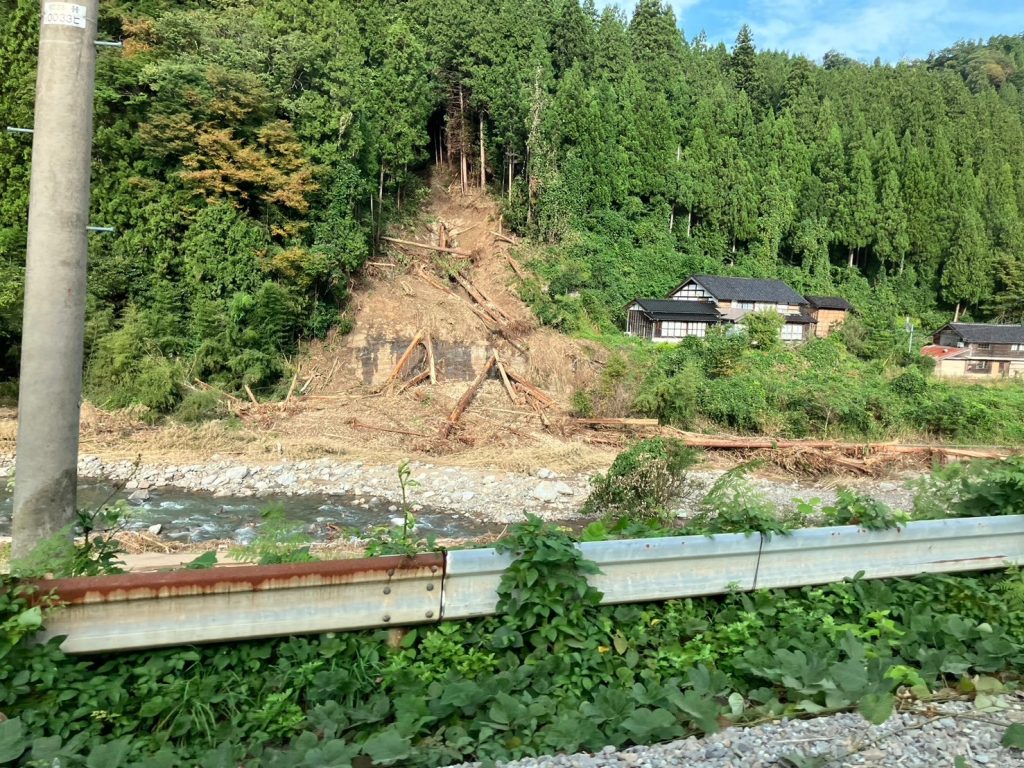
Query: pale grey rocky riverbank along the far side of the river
x=489 y=496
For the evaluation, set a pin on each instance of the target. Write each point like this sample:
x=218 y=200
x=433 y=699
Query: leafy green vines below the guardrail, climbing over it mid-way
x=553 y=672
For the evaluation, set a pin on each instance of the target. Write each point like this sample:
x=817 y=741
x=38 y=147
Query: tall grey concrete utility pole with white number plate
x=47 y=473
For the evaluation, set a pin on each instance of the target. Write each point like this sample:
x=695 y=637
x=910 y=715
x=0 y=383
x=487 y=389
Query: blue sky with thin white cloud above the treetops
x=892 y=30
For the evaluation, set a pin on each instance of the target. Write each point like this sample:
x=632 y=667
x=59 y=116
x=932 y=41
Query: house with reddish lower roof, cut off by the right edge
x=978 y=351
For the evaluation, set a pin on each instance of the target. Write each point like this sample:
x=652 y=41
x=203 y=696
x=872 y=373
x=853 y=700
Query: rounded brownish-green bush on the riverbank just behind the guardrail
x=644 y=481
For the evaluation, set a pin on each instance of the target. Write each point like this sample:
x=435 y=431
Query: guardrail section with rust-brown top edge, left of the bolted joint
x=150 y=611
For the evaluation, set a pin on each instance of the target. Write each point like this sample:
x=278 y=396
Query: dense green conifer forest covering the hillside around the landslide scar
x=249 y=154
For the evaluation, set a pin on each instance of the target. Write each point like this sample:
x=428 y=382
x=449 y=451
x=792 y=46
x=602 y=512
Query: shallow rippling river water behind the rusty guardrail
x=194 y=517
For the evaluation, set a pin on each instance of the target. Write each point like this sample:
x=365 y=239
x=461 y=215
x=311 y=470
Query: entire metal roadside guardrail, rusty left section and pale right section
x=146 y=611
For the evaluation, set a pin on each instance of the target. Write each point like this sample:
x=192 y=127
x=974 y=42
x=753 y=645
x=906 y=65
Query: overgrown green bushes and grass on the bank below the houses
x=861 y=383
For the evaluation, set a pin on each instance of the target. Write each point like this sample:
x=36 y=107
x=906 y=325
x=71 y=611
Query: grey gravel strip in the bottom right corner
x=933 y=740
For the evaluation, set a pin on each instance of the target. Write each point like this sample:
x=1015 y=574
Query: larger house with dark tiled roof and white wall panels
x=705 y=301
